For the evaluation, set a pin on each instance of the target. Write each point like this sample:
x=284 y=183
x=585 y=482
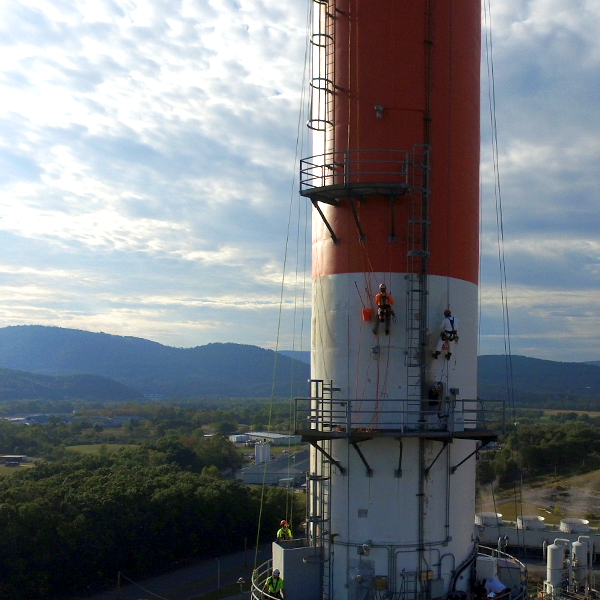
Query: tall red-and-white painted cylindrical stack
x=399 y=205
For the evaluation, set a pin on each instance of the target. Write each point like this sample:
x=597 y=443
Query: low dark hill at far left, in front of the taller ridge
x=20 y=385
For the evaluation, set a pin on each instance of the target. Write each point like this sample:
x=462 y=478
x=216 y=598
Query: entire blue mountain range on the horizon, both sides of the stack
x=83 y=363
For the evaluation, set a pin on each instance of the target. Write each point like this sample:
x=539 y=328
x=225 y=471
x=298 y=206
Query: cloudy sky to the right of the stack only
x=547 y=81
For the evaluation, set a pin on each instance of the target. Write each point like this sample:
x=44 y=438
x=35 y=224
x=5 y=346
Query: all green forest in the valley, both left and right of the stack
x=72 y=521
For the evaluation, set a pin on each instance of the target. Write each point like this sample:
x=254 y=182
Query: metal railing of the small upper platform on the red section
x=354 y=167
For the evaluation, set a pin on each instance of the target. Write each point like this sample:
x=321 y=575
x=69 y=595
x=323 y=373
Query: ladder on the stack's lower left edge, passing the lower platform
x=318 y=483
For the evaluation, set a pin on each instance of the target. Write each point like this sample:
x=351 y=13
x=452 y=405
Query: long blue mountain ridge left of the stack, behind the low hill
x=151 y=368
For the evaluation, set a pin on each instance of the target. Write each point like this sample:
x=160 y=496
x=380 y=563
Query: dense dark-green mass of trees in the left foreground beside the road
x=75 y=522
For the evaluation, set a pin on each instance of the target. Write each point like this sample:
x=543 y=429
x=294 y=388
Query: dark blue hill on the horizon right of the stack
x=535 y=377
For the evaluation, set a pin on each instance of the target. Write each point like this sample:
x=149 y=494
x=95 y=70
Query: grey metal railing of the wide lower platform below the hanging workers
x=345 y=418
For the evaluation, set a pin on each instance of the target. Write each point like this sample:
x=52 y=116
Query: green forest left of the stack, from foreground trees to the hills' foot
x=73 y=521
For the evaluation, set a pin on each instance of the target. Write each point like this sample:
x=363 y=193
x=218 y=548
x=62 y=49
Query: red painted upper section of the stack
x=418 y=60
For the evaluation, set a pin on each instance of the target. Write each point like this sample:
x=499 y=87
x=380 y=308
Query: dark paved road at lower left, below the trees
x=190 y=581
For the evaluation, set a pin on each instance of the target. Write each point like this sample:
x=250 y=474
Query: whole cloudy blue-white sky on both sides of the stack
x=148 y=158
